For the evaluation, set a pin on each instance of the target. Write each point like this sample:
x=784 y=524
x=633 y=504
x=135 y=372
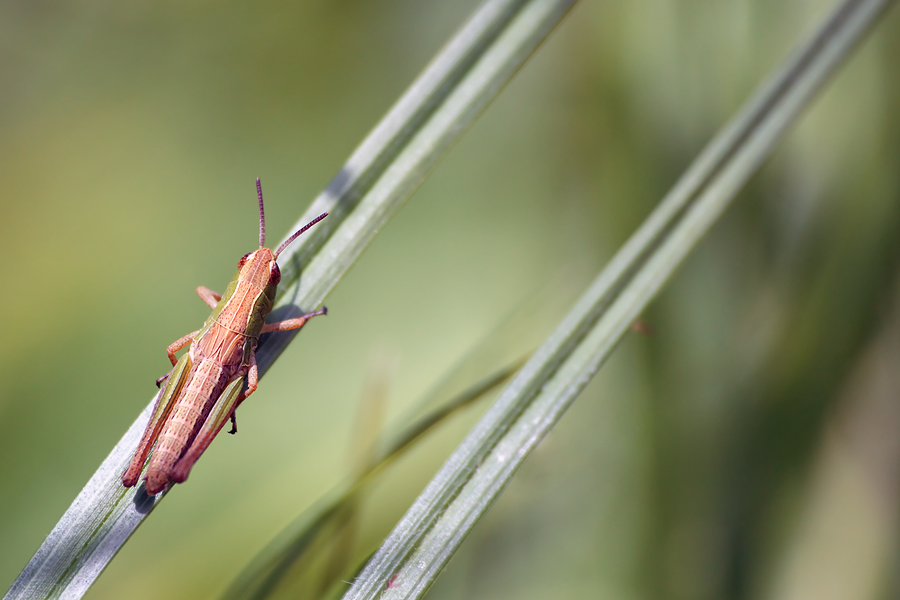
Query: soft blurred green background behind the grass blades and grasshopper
x=747 y=449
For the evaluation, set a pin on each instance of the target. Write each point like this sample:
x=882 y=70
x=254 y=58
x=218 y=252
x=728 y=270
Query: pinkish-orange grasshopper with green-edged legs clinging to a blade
x=206 y=385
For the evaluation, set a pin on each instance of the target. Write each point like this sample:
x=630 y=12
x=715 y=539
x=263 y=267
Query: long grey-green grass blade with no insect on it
x=432 y=530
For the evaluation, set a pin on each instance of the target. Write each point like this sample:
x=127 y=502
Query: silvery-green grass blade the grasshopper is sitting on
x=466 y=75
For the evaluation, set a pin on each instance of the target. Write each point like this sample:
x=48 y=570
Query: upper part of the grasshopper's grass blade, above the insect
x=502 y=35
